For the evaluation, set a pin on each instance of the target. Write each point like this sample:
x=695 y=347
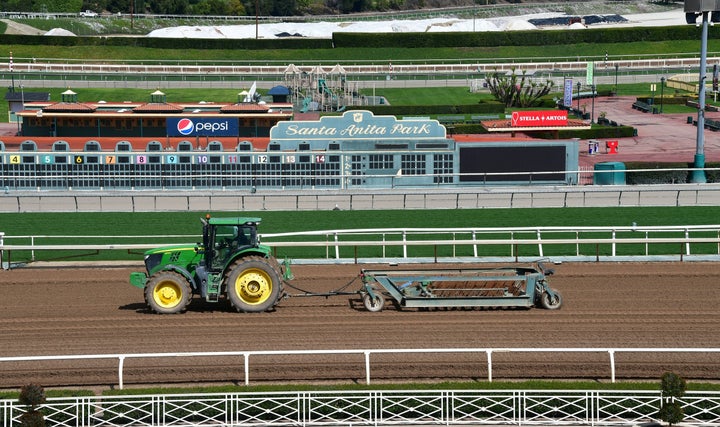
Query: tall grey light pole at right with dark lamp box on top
x=708 y=10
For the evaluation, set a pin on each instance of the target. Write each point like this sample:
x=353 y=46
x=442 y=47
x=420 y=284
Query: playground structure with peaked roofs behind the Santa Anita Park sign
x=319 y=90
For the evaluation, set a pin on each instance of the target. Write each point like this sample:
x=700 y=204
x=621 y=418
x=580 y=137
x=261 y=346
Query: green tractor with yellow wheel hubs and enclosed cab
x=230 y=260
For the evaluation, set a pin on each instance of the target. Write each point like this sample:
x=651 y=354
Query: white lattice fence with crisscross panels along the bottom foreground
x=371 y=408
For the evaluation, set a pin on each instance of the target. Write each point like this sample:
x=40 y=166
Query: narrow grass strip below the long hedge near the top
x=574 y=52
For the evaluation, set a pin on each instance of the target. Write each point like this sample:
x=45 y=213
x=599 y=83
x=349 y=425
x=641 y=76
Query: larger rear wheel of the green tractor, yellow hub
x=254 y=284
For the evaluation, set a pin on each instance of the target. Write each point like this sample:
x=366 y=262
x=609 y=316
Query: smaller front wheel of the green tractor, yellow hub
x=168 y=292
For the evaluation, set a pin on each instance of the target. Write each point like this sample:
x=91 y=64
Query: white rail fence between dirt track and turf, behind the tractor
x=501 y=244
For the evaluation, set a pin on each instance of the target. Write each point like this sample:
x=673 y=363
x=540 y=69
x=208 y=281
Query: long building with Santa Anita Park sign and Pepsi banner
x=251 y=146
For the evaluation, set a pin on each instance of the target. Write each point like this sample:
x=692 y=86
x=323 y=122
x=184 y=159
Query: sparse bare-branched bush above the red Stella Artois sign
x=517 y=91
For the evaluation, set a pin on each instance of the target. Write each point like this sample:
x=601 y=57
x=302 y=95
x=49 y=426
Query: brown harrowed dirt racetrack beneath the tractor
x=72 y=310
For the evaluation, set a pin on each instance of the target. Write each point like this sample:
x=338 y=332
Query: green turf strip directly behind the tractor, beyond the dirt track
x=151 y=226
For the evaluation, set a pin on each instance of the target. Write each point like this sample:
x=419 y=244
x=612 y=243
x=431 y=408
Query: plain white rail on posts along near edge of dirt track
x=366 y=353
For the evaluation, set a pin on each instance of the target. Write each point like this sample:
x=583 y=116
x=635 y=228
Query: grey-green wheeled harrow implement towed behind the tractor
x=438 y=288
